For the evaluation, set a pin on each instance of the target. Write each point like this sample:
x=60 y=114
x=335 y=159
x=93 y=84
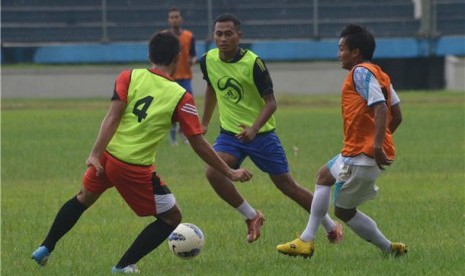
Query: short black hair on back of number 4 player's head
x=163 y=48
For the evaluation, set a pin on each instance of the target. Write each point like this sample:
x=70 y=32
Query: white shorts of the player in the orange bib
x=355 y=184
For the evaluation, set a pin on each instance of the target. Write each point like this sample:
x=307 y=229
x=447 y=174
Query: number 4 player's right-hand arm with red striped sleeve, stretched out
x=186 y=115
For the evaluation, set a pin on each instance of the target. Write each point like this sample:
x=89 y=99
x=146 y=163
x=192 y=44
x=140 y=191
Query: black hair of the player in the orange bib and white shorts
x=358 y=37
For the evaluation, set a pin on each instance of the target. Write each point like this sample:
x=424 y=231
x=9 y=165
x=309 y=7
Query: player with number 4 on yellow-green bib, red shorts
x=145 y=103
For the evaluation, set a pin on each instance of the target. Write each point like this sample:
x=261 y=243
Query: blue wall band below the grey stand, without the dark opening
x=298 y=50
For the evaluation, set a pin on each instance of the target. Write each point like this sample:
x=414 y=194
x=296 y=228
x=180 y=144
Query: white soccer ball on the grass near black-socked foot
x=186 y=241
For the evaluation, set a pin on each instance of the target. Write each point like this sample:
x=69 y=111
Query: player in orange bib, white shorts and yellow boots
x=371 y=113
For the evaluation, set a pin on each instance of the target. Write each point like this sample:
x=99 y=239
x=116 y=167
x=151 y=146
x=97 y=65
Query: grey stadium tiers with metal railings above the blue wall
x=71 y=21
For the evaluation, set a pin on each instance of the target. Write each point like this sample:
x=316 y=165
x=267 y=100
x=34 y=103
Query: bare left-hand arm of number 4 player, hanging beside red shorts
x=107 y=130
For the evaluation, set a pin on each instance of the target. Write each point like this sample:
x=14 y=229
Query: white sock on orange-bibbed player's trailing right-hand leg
x=366 y=228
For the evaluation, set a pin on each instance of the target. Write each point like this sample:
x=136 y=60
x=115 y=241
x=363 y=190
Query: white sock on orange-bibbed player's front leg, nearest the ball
x=318 y=212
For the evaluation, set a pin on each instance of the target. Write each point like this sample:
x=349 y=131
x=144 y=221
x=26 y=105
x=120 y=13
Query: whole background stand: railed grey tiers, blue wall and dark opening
x=106 y=31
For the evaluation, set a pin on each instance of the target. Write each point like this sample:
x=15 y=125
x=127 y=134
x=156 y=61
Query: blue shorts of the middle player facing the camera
x=265 y=151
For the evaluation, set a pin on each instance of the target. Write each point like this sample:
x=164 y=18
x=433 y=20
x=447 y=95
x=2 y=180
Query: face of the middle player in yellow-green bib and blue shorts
x=226 y=37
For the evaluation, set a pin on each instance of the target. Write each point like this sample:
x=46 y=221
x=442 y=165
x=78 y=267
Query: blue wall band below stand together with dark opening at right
x=412 y=63
